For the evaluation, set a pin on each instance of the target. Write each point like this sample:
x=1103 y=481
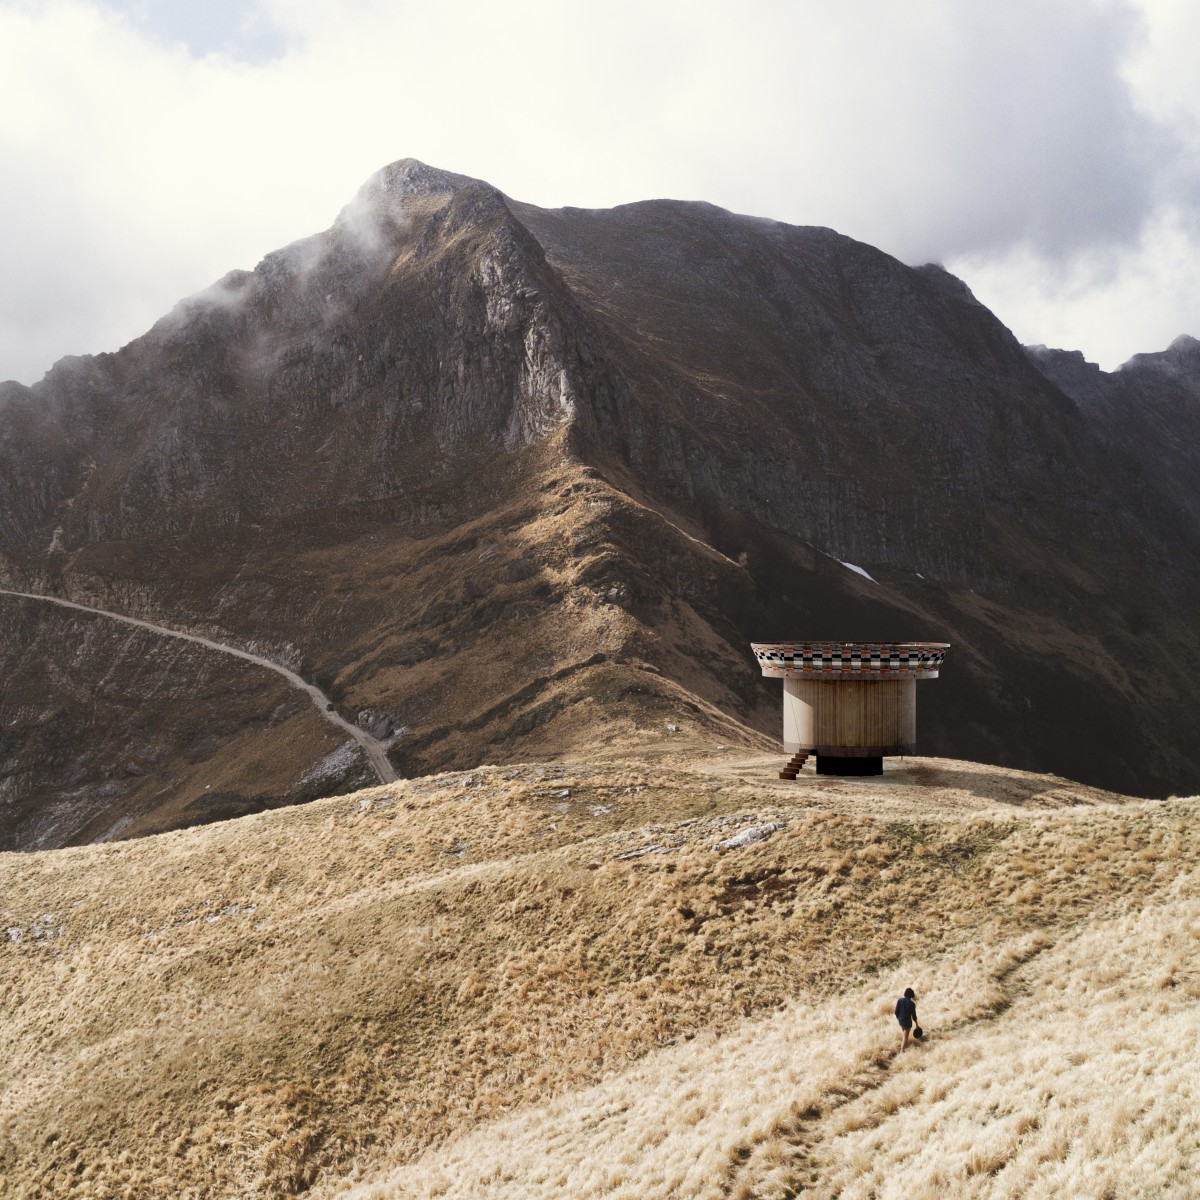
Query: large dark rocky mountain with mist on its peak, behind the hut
x=512 y=483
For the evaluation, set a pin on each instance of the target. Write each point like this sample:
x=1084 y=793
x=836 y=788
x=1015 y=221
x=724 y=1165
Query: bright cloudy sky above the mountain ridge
x=1048 y=152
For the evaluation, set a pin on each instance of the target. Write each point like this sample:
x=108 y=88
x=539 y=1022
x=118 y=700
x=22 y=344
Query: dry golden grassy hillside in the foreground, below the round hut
x=458 y=986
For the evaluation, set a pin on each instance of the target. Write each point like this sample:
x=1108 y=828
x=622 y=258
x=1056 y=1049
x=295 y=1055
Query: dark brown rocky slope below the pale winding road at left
x=115 y=733
